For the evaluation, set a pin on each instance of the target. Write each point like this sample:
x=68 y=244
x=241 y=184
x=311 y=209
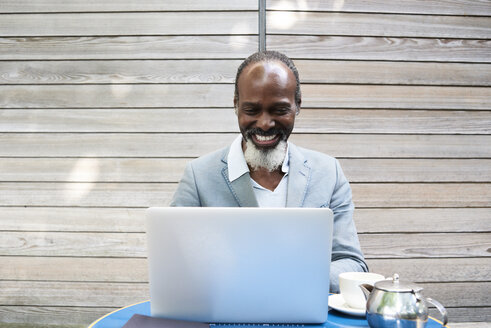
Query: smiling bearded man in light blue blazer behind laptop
x=261 y=168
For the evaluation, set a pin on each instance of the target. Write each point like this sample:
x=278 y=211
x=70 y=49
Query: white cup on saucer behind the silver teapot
x=349 y=285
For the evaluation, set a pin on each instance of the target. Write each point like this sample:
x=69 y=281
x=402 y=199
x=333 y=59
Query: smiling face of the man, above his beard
x=266 y=107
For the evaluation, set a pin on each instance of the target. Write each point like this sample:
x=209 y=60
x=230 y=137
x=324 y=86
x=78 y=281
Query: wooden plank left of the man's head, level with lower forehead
x=121 y=95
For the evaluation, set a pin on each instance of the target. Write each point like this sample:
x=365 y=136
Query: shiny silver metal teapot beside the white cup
x=391 y=303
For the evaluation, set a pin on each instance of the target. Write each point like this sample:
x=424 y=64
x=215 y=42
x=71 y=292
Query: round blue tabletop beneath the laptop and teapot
x=335 y=319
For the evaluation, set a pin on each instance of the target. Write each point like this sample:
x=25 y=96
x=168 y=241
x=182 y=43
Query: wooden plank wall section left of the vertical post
x=102 y=104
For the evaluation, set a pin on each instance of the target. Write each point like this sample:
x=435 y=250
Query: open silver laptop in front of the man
x=239 y=265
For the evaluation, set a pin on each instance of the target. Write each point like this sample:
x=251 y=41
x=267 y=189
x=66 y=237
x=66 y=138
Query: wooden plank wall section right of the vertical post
x=399 y=92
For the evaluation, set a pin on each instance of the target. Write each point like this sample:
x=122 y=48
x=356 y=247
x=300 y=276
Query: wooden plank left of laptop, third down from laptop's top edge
x=76 y=269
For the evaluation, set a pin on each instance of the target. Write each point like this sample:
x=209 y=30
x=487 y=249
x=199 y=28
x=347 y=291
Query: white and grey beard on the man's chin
x=269 y=159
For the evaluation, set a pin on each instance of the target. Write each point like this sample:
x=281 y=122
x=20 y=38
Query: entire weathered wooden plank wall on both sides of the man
x=103 y=103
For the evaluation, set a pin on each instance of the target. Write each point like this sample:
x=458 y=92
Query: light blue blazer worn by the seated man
x=314 y=180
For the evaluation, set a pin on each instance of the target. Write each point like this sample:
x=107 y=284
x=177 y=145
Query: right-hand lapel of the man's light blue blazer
x=298 y=178
